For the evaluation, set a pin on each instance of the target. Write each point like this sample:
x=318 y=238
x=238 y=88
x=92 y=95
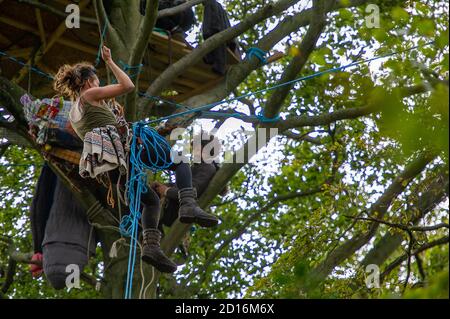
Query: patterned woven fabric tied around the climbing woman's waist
x=103 y=151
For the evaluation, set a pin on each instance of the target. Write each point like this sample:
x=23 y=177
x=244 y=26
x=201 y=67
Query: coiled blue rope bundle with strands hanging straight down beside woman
x=137 y=184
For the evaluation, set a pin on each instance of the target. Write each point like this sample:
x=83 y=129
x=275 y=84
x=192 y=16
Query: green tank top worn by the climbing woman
x=93 y=117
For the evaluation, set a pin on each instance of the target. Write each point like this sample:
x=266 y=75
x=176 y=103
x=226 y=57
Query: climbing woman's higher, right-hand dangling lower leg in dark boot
x=189 y=211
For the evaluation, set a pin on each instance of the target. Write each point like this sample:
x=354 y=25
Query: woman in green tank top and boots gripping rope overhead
x=105 y=134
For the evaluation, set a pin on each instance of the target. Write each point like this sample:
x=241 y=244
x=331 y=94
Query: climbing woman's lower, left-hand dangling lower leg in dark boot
x=151 y=250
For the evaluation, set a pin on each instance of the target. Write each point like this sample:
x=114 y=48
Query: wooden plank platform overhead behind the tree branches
x=27 y=31
